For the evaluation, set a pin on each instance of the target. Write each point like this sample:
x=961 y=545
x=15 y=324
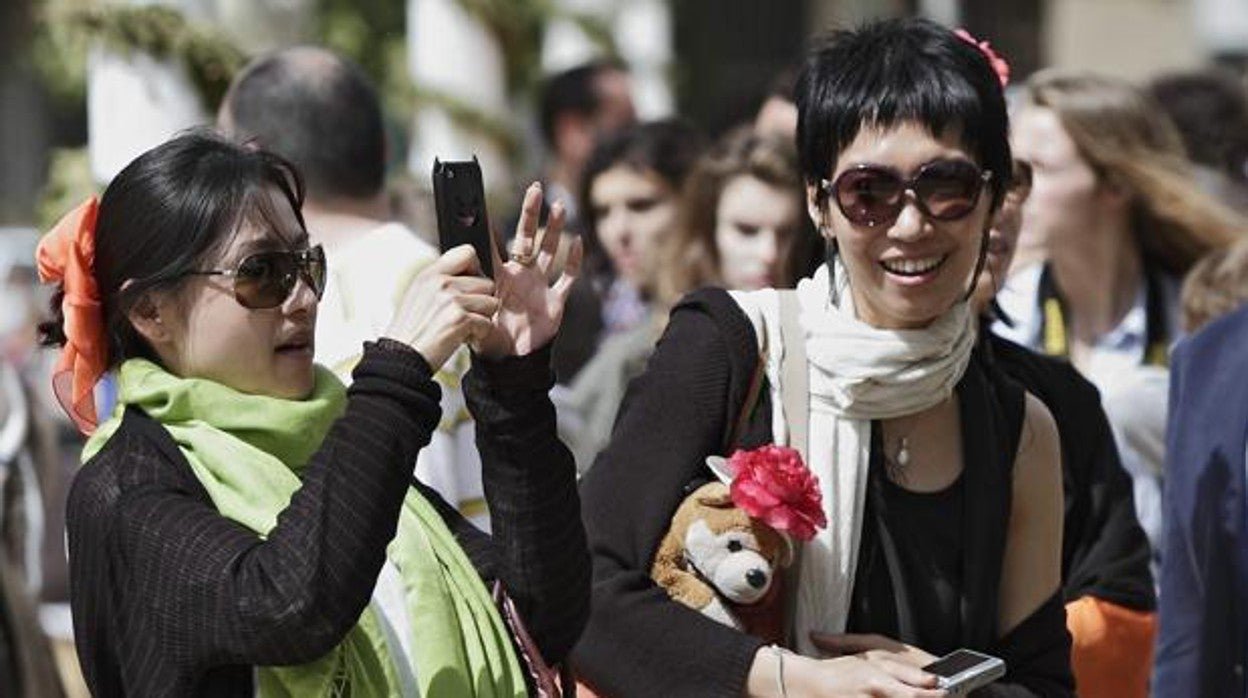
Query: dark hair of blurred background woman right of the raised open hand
x=668 y=148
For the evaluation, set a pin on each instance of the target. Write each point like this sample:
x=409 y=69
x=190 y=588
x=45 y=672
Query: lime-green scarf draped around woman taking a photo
x=249 y=453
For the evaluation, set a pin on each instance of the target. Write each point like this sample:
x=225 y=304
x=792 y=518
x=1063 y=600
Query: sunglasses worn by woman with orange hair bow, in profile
x=265 y=280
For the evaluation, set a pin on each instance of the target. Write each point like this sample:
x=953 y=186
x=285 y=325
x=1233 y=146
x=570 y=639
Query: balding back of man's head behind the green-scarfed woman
x=320 y=112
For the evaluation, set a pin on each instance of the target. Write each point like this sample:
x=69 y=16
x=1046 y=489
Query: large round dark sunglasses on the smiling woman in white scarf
x=945 y=190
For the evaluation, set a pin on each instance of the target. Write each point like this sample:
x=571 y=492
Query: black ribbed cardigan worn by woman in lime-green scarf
x=172 y=599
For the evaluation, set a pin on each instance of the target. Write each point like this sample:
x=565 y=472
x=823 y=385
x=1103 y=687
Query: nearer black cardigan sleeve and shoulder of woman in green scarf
x=162 y=576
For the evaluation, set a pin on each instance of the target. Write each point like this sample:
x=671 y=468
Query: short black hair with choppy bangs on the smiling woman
x=894 y=72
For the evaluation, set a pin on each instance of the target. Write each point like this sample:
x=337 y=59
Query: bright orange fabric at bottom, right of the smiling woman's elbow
x=1113 y=651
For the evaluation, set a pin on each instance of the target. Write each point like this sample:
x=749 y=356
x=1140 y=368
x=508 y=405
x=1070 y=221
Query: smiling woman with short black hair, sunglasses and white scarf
x=939 y=476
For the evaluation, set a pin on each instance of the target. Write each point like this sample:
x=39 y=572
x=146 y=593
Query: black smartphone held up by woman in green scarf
x=460 y=199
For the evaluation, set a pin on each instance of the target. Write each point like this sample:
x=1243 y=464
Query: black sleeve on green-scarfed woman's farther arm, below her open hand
x=531 y=484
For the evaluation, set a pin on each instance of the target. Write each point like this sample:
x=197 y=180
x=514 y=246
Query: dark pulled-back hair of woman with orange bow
x=164 y=214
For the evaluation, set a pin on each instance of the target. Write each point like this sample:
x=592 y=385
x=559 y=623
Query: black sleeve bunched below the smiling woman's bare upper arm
x=1038 y=656
